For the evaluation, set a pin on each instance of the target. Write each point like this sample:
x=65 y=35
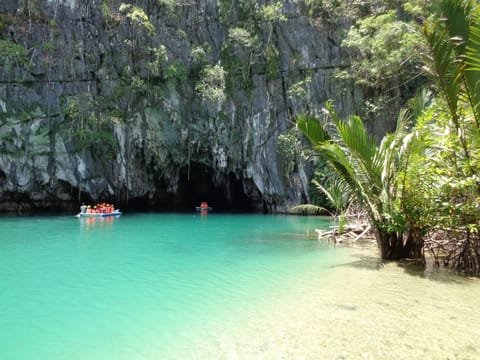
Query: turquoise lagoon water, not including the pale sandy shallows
x=97 y=288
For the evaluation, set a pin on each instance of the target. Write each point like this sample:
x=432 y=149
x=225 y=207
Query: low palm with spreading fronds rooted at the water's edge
x=368 y=169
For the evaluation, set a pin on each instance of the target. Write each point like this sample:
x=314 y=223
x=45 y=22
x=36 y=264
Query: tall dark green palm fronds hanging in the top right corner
x=453 y=37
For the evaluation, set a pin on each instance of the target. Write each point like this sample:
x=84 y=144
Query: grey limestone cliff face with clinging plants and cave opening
x=161 y=104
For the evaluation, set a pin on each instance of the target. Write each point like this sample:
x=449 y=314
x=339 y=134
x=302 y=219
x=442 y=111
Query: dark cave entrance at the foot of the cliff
x=196 y=185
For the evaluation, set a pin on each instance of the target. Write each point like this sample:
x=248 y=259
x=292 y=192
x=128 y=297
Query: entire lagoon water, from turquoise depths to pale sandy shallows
x=150 y=286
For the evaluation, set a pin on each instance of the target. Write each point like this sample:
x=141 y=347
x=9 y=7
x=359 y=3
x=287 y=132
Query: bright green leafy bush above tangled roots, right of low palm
x=444 y=185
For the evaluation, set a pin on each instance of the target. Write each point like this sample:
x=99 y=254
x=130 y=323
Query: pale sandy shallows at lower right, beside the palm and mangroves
x=363 y=310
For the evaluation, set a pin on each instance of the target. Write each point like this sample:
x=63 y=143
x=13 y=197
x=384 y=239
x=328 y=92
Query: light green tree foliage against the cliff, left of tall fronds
x=386 y=49
